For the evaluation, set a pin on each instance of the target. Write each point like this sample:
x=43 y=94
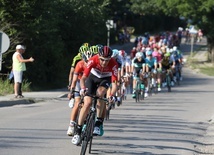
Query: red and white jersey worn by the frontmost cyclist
x=94 y=67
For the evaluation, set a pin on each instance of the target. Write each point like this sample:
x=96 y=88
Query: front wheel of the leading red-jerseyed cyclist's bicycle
x=86 y=135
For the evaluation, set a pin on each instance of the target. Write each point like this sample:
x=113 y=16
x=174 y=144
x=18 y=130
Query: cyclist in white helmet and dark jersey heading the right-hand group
x=138 y=67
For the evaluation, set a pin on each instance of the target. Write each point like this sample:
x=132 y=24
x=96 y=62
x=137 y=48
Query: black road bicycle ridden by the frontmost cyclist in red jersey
x=87 y=132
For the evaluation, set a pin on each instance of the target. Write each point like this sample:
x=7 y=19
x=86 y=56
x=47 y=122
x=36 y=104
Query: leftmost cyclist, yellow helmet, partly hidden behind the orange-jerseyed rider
x=76 y=59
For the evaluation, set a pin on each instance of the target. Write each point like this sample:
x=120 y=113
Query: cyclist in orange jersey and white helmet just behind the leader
x=81 y=65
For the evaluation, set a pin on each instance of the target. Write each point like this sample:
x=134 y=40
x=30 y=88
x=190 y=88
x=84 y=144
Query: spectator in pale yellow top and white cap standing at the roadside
x=18 y=68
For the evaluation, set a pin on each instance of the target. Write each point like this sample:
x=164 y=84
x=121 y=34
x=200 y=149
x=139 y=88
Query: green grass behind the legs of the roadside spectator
x=6 y=87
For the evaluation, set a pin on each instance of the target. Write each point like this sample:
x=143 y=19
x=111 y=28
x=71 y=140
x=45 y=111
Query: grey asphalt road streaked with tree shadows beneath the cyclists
x=174 y=123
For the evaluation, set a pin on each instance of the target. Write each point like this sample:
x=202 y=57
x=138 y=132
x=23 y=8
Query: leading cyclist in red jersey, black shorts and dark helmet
x=100 y=72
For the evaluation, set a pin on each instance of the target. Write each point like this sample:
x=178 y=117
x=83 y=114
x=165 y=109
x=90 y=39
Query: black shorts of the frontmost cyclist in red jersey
x=93 y=82
